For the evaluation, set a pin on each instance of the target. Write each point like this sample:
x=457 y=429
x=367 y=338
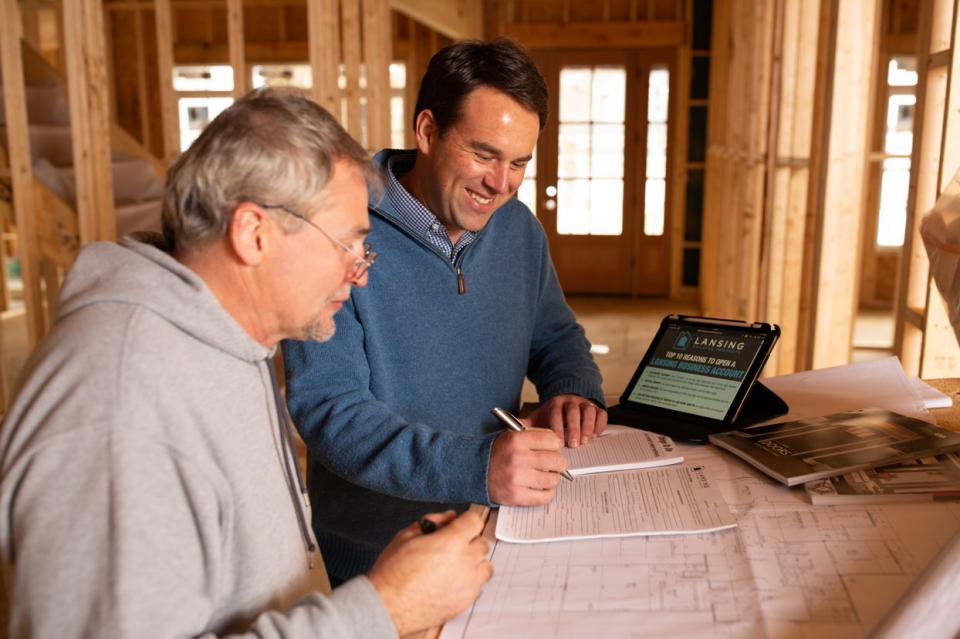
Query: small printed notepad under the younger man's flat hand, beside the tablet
x=622 y=448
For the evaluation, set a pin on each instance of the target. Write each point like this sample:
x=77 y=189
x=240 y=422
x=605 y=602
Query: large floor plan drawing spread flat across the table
x=788 y=570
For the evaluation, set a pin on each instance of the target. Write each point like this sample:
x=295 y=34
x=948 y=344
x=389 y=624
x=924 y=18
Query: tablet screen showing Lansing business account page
x=697 y=370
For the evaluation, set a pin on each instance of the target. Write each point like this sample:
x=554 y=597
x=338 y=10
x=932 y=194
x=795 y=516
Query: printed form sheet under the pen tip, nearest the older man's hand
x=660 y=501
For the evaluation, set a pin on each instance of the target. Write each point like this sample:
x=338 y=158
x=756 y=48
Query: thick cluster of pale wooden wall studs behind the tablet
x=785 y=171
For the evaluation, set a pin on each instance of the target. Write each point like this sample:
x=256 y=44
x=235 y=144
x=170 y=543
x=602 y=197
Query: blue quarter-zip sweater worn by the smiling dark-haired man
x=395 y=409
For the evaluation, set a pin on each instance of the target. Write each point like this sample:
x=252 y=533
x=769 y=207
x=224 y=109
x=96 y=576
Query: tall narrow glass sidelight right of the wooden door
x=654 y=199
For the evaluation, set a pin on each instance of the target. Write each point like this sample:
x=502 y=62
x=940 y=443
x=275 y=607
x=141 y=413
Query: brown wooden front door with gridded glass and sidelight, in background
x=602 y=173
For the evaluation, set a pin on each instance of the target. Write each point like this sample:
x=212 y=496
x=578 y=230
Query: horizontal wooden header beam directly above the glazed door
x=590 y=35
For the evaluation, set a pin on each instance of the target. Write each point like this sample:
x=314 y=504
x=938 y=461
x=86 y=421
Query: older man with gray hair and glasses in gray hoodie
x=149 y=482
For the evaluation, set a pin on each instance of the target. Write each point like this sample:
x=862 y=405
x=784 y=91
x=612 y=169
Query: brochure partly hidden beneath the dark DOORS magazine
x=926 y=479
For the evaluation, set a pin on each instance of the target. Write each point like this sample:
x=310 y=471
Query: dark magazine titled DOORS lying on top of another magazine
x=801 y=451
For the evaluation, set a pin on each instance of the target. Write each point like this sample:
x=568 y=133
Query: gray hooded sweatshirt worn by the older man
x=147 y=490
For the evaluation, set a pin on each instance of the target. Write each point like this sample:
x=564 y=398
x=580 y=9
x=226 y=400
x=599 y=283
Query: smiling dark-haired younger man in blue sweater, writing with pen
x=395 y=409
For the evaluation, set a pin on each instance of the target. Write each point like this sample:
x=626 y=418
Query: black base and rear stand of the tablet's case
x=760 y=405
